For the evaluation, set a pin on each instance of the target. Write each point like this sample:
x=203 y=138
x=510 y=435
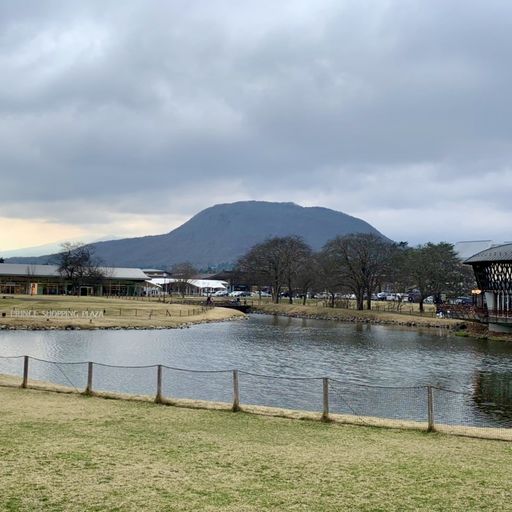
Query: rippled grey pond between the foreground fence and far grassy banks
x=374 y=370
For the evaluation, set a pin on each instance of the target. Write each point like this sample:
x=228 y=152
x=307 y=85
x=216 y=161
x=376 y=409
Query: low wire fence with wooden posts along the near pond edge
x=423 y=407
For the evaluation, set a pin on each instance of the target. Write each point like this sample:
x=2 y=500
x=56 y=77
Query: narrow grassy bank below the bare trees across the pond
x=413 y=319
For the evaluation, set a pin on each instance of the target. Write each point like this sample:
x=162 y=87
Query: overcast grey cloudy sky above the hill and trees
x=124 y=118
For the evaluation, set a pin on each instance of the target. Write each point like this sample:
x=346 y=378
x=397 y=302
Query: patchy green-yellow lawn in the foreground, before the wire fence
x=68 y=452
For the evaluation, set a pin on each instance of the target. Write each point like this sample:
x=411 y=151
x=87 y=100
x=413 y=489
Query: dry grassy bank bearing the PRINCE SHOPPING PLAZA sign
x=60 y=312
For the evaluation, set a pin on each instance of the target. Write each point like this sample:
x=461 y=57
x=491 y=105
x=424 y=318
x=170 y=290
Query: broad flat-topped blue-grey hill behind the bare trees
x=220 y=234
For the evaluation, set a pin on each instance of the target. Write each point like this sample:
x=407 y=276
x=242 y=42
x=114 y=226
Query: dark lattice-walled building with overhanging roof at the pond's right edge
x=493 y=272
